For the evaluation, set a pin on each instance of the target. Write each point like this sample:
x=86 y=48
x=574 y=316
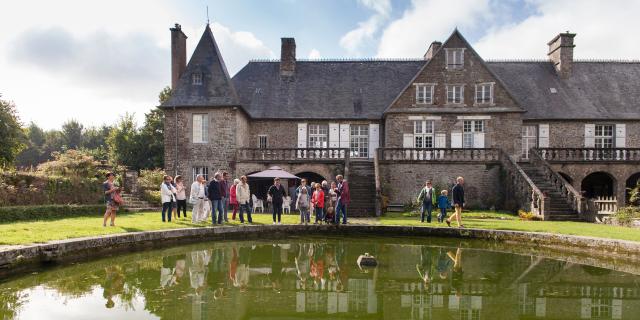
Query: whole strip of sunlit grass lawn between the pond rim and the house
x=47 y=230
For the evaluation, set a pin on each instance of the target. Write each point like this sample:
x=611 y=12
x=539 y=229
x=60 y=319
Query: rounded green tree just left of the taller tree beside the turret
x=123 y=143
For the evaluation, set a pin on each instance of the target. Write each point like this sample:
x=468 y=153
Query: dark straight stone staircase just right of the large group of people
x=362 y=187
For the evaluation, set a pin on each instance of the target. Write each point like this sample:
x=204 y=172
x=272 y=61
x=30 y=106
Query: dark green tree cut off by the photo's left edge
x=12 y=137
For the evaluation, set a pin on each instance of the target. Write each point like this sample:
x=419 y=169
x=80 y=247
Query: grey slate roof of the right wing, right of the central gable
x=595 y=90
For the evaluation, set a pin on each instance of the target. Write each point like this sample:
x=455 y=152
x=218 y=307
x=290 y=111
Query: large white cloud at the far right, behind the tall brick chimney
x=603 y=30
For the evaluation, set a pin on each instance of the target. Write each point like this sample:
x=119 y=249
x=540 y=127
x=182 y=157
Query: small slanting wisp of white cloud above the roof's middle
x=353 y=40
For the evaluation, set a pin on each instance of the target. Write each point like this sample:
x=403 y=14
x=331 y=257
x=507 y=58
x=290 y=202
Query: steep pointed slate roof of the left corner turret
x=216 y=88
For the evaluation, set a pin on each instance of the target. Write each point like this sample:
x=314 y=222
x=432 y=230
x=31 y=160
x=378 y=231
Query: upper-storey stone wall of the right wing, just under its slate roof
x=570 y=134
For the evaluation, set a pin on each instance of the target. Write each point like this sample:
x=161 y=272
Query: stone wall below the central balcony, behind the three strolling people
x=401 y=182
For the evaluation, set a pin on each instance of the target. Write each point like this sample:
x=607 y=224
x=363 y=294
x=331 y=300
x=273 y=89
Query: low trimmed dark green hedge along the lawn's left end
x=47 y=212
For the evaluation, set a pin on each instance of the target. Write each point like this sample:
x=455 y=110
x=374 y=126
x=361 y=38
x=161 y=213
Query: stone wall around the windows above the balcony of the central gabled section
x=502 y=130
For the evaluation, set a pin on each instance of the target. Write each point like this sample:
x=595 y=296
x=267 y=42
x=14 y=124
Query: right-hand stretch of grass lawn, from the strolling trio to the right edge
x=505 y=221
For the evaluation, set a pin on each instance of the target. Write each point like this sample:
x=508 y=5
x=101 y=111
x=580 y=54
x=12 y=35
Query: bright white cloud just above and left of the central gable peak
x=426 y=21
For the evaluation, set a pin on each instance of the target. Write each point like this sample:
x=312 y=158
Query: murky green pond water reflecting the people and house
x=315 y=278
